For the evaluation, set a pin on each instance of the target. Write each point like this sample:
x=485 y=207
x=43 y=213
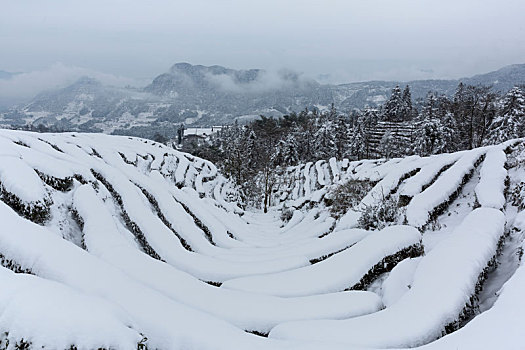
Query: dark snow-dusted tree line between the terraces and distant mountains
x=253 y=154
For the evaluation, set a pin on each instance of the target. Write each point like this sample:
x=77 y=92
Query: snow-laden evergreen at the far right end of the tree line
x=509 y=123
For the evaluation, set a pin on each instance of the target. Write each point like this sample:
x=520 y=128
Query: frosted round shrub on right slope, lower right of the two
x=379 y=215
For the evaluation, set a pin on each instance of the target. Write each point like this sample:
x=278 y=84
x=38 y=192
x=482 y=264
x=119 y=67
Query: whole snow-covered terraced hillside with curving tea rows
x=121 y=243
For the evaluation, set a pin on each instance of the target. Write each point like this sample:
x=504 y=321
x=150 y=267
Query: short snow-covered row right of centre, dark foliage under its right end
x=339 y=272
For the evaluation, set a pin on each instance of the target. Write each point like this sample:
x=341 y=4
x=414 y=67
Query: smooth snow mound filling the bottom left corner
x=50 y=314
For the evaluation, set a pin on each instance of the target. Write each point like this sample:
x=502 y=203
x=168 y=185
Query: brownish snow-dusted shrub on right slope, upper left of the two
x=347 y=196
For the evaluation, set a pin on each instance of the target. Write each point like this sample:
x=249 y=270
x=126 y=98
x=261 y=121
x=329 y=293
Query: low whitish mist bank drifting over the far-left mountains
x=22 y=87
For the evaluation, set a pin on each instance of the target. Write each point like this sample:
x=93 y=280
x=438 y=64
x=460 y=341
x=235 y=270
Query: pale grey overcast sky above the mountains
x=342 y=41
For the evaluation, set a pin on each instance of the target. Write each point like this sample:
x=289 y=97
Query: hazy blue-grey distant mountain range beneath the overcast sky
x=202 y=95
